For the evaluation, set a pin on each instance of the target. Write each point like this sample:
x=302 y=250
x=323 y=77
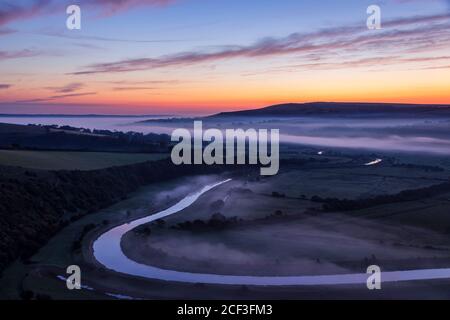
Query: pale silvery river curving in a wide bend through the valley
x=108 y=252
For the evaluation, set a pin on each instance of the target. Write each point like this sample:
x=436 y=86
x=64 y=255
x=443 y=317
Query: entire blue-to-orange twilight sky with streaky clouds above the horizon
x=205 y=56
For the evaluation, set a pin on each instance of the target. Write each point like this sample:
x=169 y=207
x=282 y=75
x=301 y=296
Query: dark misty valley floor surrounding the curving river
x=267 y=226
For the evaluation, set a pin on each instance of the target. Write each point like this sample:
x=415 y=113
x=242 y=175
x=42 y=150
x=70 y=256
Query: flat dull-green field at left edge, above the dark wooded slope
x=72 y=160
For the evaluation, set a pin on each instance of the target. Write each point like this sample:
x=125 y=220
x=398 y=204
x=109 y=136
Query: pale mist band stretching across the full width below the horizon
x=414 y=132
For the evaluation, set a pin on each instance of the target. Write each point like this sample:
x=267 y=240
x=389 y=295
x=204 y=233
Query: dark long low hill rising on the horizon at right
x=340 y=109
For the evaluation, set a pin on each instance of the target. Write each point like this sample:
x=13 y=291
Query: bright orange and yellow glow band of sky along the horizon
x=234 y=92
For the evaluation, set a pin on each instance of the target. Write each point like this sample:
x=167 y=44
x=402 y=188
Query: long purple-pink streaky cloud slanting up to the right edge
x=406 y=35
